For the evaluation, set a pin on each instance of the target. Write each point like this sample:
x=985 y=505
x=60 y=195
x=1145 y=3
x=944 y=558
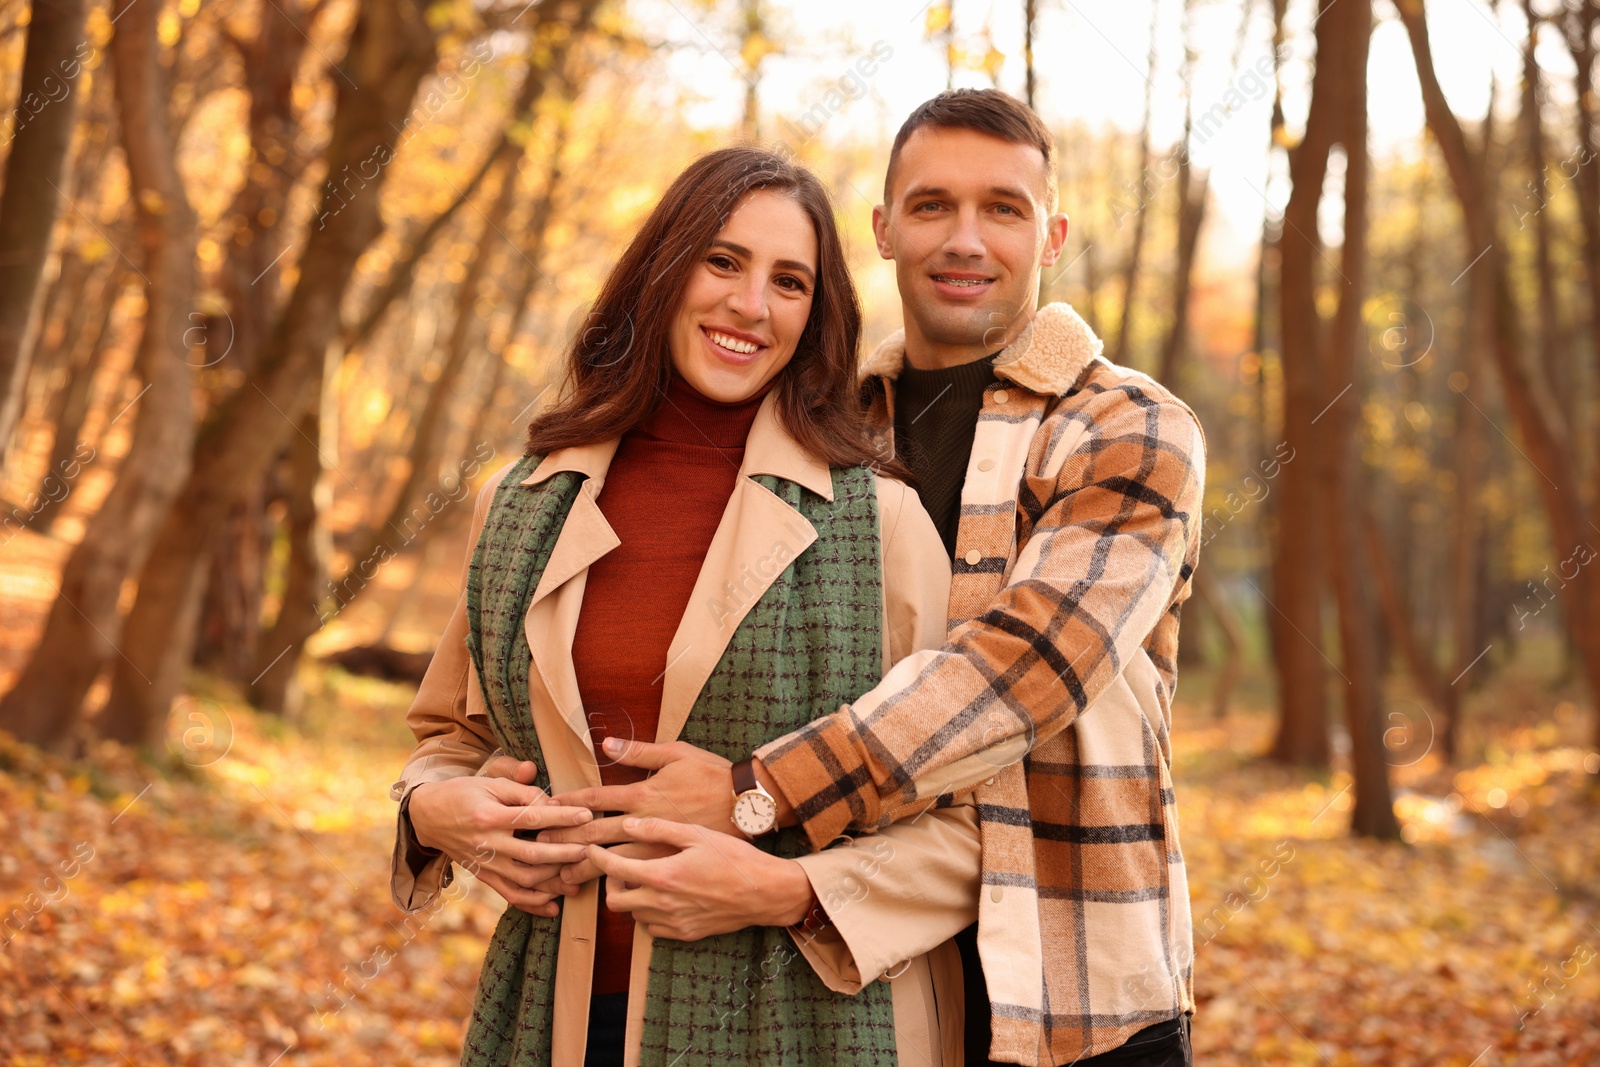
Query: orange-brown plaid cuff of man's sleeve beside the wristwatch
x=823 y=775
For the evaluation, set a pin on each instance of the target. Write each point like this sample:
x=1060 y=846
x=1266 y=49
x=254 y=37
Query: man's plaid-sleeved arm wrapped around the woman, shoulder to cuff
x=1110 y=557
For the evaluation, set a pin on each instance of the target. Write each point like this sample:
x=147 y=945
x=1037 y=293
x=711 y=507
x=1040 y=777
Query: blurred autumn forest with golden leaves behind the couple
x=284 y=281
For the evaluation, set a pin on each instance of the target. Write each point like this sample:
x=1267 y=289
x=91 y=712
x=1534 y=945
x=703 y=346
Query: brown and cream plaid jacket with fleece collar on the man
x=1079 y=537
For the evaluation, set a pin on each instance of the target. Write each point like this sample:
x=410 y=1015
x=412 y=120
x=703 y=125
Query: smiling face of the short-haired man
x=969 y=228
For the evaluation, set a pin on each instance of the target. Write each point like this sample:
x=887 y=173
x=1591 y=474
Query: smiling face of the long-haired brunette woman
x=748 y=300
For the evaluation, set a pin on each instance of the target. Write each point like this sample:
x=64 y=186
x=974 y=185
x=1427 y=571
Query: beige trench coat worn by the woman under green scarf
x=895 y=900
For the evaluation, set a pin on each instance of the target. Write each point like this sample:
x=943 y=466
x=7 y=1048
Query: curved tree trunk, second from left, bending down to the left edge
x=84 y=626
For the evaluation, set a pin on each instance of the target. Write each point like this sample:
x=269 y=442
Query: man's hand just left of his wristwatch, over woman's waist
x=689 y=786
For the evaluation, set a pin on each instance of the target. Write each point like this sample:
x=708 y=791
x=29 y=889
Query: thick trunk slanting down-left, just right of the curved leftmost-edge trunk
x=390 y=50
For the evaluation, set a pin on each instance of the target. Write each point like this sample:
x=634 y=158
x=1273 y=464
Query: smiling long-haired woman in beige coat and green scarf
x=694 y=549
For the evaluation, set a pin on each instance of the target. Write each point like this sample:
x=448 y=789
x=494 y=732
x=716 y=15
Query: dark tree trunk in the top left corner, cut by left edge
x=34 y=174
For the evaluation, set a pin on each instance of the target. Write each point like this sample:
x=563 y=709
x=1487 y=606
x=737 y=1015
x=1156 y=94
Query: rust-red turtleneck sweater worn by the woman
x=665 y=497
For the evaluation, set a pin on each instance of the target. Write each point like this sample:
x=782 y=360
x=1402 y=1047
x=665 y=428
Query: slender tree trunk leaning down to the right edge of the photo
x=1545 y=434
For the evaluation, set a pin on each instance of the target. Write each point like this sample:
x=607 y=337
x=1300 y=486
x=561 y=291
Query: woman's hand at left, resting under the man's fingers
x=474 y=821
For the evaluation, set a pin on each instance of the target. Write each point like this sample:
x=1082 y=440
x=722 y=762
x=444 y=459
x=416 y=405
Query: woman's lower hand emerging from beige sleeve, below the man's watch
x=713 y=884
